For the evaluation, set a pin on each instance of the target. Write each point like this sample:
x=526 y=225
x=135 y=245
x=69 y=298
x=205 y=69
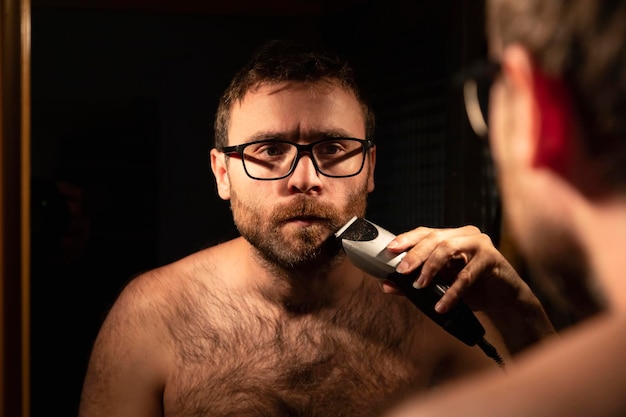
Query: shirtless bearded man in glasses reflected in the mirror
x=277 y=322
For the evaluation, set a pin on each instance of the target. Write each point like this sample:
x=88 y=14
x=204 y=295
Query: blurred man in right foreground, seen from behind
x=557 y=129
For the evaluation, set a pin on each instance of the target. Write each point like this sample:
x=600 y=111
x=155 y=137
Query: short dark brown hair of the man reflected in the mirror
x=281 y=60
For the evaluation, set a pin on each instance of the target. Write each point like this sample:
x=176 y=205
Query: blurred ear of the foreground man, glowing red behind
x=543 y=106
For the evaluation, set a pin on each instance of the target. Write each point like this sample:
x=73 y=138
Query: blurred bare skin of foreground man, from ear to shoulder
x=575 y=233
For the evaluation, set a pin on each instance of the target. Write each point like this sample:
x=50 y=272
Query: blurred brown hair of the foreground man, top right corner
x=582 y=43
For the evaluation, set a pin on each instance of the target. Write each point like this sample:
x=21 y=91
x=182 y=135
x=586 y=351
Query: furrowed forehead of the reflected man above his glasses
x=296 y=110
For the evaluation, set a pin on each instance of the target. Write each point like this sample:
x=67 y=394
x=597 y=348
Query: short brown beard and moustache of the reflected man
x=286 y=245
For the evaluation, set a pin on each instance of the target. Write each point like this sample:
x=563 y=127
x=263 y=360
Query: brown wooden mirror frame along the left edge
x=15 y=207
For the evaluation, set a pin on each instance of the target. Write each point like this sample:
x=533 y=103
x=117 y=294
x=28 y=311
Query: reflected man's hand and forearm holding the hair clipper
x=480 y=275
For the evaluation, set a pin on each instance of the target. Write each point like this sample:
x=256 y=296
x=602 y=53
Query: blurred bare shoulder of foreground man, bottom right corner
x=580 y=374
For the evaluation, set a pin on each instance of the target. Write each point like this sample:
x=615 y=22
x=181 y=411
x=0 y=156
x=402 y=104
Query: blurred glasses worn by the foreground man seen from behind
x=477 y=80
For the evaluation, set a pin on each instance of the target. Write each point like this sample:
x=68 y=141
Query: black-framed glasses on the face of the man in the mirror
x=277 y=159
